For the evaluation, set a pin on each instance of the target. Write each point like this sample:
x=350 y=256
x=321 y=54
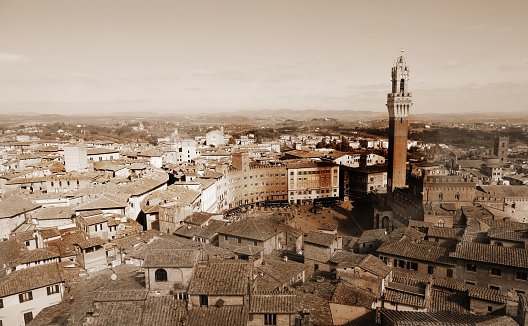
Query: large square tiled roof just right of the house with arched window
x=221 y=277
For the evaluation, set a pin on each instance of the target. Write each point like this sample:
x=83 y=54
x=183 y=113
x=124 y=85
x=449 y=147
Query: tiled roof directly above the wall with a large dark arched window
x=157 y=258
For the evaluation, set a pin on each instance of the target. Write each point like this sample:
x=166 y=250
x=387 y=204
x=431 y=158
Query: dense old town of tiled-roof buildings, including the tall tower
x=215 y=226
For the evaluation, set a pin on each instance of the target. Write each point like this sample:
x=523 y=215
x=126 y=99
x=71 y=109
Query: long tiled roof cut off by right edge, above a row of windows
x=515 y=257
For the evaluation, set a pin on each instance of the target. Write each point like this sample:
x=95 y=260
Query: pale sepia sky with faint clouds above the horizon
x=94 y=56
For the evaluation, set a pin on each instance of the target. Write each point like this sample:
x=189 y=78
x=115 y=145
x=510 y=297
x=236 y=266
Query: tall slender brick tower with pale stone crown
x=399 y=101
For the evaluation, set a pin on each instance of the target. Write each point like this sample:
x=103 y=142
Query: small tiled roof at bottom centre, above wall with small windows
x=274 y=303
